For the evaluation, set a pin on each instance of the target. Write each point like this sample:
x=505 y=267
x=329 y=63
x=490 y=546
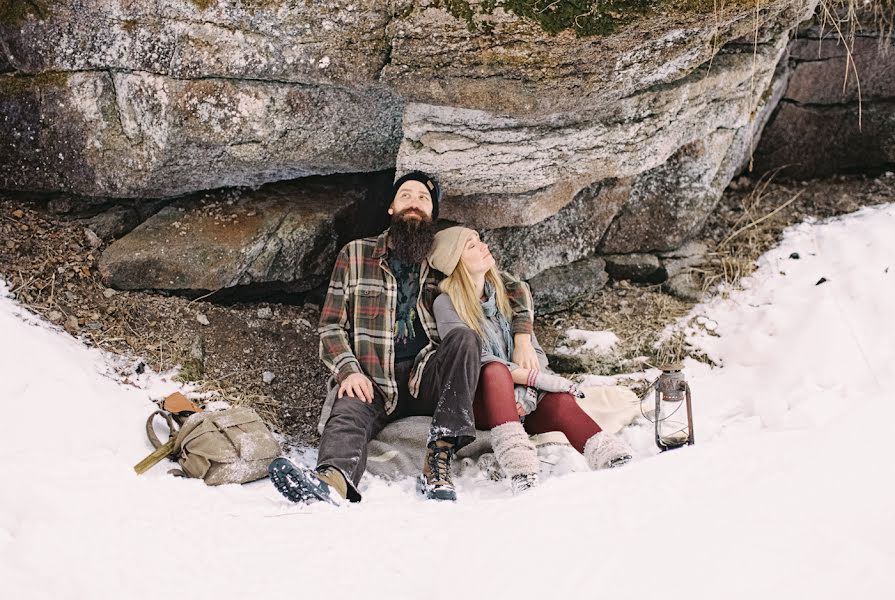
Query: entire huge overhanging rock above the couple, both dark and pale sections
x=556 y=146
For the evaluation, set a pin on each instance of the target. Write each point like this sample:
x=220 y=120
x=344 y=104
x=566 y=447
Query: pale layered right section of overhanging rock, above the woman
x=518 y=126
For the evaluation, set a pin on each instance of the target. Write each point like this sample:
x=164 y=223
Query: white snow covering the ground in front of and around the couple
x=787 y=493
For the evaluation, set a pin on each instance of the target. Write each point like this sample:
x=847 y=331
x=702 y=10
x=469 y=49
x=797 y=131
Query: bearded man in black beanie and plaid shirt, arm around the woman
x=378 y=337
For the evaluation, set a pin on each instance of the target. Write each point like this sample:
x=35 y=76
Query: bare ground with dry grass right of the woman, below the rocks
x=749 y=221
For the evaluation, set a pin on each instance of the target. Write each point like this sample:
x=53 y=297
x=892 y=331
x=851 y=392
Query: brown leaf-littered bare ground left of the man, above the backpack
x=51 y=267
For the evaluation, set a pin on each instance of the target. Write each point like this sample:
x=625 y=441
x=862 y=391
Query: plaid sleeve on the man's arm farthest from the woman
x=335 y=344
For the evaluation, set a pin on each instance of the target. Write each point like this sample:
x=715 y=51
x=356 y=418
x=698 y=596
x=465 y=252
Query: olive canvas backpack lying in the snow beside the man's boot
x=227 y=446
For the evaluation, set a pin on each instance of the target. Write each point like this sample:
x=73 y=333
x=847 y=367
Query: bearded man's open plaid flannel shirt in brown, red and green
x=357 y=323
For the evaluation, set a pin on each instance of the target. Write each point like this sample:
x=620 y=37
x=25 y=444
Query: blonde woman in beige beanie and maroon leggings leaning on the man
x=510 y=400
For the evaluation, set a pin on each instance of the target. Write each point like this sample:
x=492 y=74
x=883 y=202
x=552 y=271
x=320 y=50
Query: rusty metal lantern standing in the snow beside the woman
x=673 y=428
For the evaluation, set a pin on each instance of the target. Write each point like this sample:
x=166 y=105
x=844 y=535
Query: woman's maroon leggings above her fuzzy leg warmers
x=495 y=405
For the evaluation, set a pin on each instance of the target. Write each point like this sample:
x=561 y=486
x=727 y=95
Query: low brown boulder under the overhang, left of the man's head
x=283 y=236
